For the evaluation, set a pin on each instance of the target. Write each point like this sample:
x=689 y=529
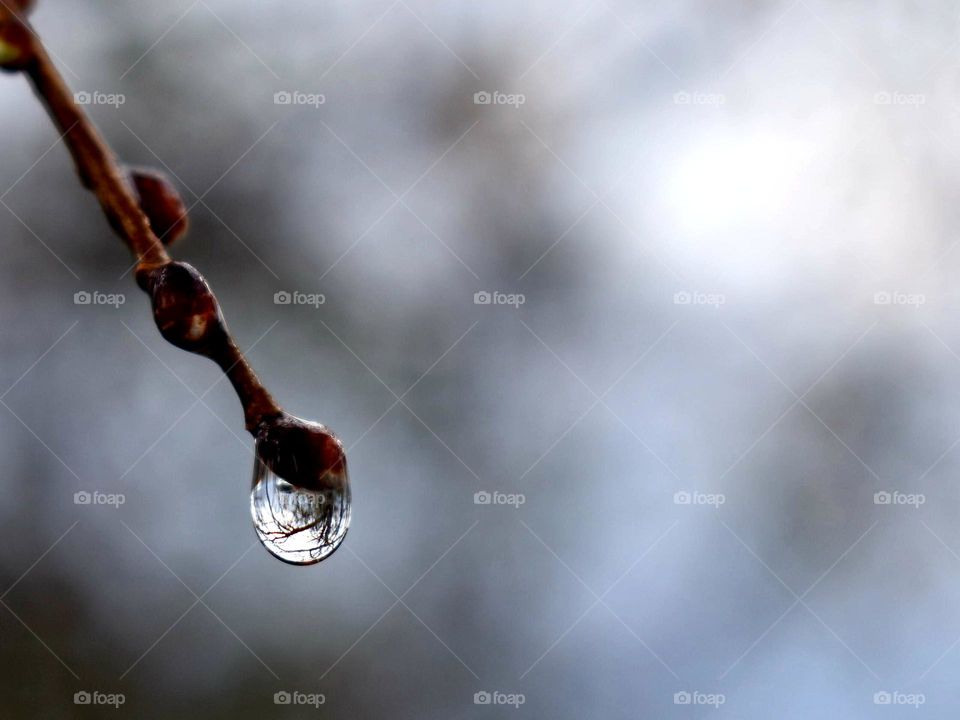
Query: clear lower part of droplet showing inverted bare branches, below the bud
x=297 y=525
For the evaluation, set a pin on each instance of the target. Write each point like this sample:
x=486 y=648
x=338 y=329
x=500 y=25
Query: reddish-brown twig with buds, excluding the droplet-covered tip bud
x=185 y=308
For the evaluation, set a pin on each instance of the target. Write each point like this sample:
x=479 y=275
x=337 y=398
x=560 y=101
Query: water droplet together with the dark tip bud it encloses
x=300 y=500
